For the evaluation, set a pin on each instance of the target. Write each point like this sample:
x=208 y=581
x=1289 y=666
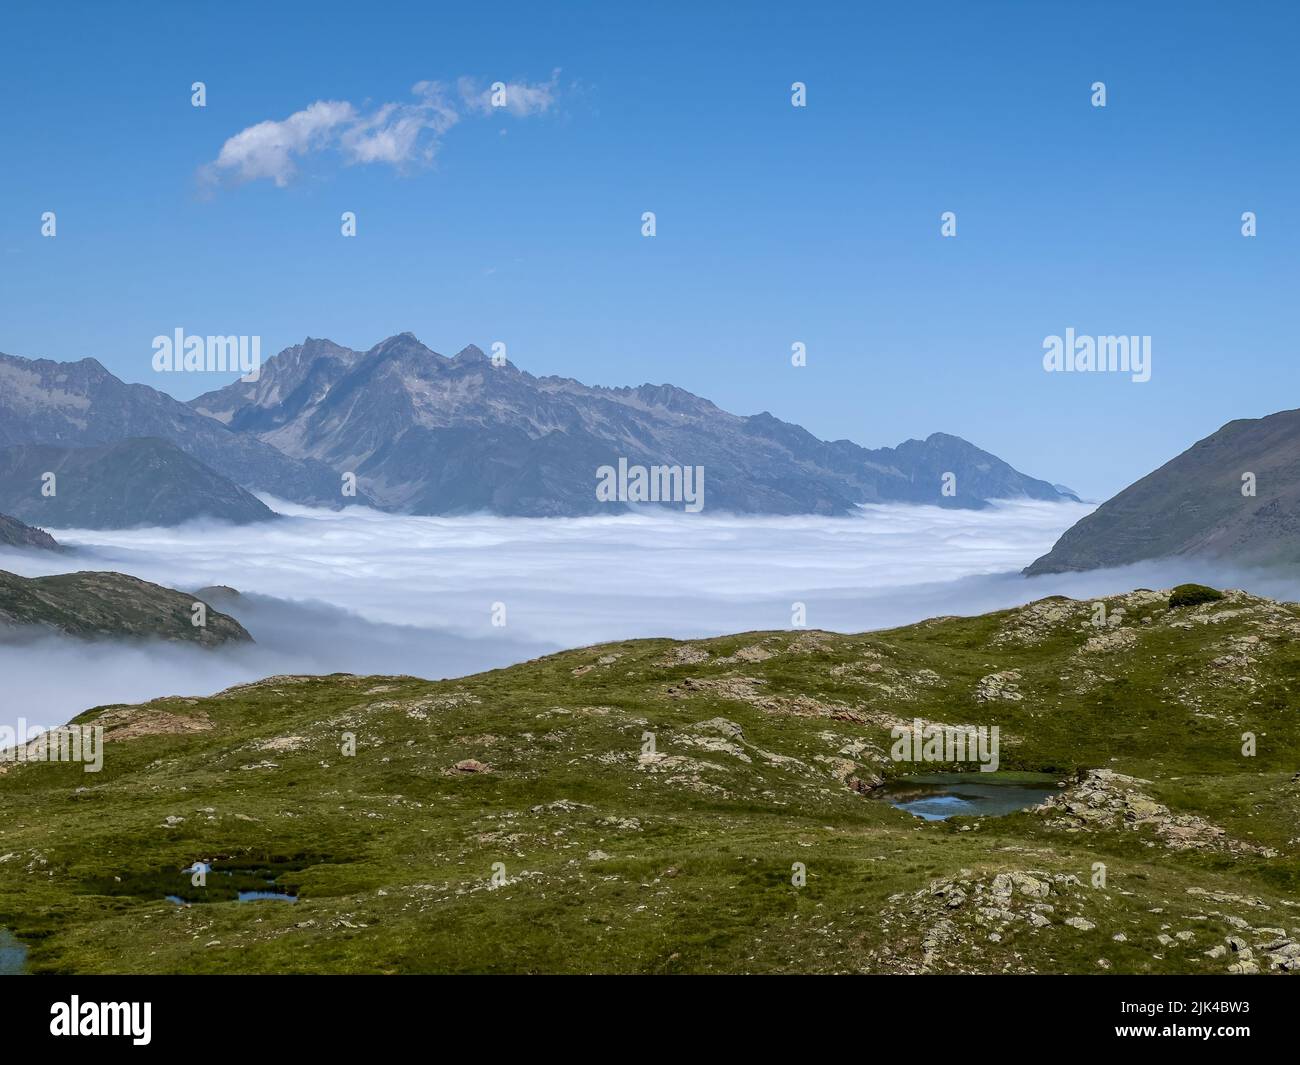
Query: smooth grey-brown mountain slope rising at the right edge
x=1194 y=505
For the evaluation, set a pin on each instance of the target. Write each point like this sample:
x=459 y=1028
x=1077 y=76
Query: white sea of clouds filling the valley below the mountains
x=363 y=592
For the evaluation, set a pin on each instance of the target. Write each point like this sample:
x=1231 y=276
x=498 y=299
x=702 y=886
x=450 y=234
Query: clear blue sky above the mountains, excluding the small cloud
x=775 y=224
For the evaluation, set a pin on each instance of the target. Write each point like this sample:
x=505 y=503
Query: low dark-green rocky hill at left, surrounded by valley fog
x=94 y=604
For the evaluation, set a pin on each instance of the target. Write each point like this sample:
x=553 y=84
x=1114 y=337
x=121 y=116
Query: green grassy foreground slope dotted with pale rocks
x=684 y=864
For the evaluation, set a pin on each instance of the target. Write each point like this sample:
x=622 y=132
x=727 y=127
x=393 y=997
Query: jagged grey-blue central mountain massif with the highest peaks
x=449 y=436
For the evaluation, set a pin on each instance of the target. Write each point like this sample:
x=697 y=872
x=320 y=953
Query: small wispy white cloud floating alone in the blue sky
x=398 y=135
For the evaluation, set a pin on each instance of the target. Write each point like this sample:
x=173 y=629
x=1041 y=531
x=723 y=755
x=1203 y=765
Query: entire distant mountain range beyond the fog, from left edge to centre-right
x=424 y=434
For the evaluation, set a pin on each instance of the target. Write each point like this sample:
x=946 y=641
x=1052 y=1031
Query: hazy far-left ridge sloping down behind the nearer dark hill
x=80 y=405
